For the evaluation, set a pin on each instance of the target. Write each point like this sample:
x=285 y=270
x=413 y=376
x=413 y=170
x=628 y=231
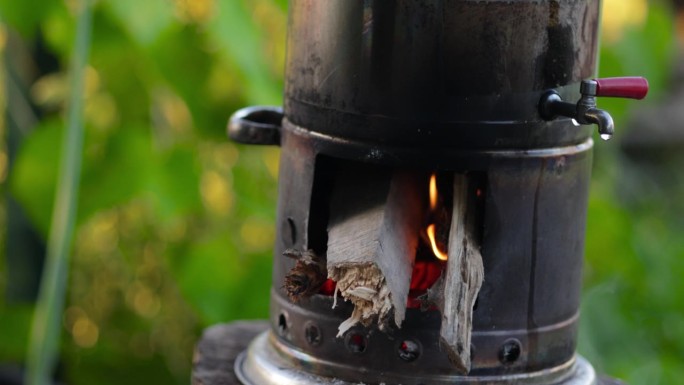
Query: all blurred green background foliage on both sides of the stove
x=175 y=223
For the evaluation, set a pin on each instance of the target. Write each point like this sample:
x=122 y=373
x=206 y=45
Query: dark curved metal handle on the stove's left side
x=256 y=125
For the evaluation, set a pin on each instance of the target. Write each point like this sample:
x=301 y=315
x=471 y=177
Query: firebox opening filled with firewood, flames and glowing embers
x=387 y=240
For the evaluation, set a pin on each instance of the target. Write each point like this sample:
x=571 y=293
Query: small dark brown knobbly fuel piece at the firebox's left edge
x=306 y=277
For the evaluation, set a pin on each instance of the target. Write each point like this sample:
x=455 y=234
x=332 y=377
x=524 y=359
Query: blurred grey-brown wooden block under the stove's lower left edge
x=215 y=353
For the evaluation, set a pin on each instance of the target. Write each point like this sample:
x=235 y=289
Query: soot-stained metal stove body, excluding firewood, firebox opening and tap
x=448 y=86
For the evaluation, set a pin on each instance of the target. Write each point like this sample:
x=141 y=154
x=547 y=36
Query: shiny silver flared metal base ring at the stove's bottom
x=268 y=362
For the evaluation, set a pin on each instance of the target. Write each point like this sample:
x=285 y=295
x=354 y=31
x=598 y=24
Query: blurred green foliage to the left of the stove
x=174 y=221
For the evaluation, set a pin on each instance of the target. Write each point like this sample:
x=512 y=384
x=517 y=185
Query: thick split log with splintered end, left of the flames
x=375 y=220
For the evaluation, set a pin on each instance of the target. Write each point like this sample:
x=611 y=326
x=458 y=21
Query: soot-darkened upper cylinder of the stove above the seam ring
x=464 y=74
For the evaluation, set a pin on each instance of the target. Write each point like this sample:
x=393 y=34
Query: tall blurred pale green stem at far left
x=43 y=347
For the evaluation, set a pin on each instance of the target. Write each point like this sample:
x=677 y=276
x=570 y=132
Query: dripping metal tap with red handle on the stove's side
x=552 y=105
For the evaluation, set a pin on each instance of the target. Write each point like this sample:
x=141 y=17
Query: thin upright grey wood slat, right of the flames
x=462 y=280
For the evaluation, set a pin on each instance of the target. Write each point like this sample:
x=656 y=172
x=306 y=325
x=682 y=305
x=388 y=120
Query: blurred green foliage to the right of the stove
x=633 y=306
